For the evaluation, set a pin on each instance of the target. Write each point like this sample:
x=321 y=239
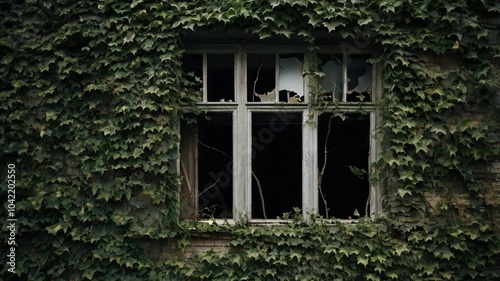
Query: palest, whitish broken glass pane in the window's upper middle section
x=291 y=82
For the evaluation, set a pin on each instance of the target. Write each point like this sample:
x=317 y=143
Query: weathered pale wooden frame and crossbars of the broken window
x=242 y=109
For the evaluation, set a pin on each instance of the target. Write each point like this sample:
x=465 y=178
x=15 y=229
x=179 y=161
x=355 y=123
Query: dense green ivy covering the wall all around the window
x=91 y=94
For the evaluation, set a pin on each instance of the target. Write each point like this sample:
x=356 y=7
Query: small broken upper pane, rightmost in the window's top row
x=359 y=73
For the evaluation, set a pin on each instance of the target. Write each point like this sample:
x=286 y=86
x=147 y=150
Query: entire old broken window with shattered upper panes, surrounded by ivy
x=259 y=151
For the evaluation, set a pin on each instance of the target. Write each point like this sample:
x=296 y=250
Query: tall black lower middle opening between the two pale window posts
x=276 y=163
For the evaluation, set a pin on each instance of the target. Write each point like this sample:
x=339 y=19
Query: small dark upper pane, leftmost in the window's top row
x=220 y=76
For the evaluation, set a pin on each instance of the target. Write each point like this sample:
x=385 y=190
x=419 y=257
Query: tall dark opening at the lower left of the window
x=215 y=181
